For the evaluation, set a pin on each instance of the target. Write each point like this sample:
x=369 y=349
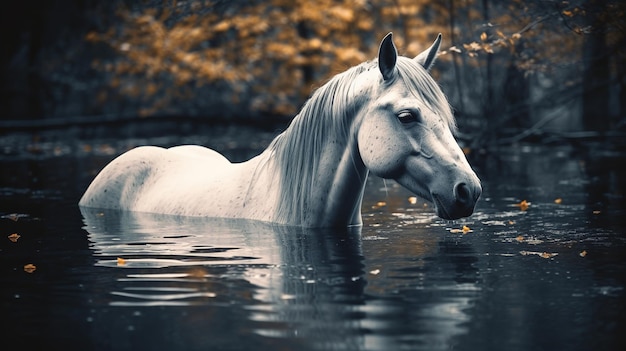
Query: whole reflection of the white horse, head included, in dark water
x=301 y=285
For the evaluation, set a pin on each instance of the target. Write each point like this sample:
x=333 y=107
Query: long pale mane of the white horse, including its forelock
x=327 y=116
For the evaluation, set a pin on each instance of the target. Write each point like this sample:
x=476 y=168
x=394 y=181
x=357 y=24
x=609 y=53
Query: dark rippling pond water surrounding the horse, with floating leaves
x=552 y=277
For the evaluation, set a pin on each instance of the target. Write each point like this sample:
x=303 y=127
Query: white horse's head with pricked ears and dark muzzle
x=406 y=132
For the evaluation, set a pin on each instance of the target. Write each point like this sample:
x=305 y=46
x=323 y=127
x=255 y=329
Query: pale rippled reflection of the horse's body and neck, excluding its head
x=287 y=281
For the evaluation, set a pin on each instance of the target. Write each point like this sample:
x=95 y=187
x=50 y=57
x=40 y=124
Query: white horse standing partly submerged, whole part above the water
x=388 y=117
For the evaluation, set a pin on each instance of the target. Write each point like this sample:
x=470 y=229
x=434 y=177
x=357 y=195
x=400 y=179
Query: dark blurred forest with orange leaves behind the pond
x=513 y=70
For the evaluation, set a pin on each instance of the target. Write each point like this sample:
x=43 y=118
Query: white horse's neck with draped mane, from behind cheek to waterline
x=321 y=172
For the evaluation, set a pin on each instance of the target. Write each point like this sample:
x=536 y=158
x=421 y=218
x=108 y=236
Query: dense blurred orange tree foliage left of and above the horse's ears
x=264 y=57
